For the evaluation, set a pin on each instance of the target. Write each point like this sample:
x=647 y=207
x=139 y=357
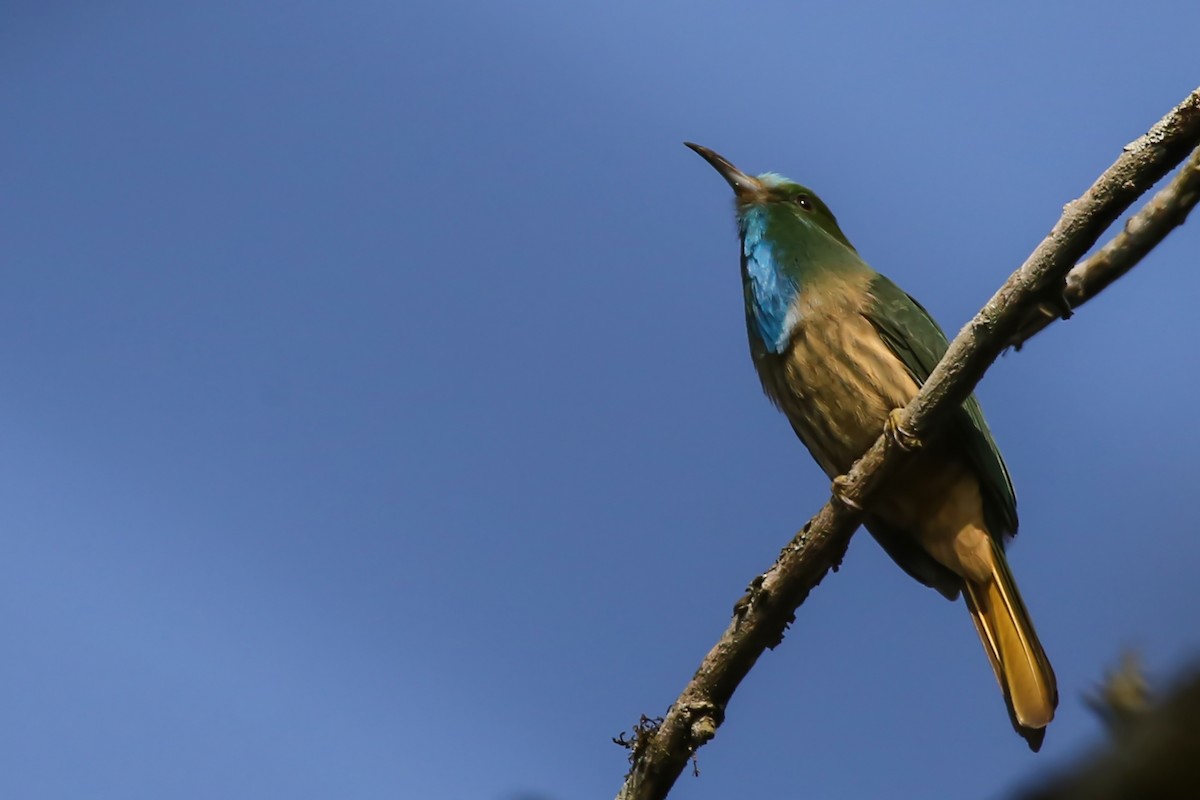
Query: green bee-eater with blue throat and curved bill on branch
x=841 y=350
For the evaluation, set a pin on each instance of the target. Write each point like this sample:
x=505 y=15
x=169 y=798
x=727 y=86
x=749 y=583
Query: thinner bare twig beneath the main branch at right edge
x=1143 y=232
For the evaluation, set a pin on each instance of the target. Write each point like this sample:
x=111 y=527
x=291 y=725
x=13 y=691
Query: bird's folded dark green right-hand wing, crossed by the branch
x=920 y=344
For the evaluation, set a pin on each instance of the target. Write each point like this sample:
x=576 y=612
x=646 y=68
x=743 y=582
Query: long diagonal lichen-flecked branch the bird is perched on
x=661 y=755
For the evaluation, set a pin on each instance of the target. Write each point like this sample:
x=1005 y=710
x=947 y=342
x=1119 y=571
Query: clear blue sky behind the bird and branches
x=377 y=413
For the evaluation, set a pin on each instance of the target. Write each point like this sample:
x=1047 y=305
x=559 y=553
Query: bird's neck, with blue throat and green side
x=783 y=261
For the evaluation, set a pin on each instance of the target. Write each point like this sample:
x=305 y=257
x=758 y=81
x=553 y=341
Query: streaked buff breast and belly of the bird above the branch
x=837 y=384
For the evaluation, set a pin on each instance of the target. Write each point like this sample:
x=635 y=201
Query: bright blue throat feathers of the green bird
x=772 y=293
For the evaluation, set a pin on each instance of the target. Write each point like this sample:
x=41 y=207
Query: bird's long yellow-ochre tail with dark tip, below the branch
x=1007 y=634
